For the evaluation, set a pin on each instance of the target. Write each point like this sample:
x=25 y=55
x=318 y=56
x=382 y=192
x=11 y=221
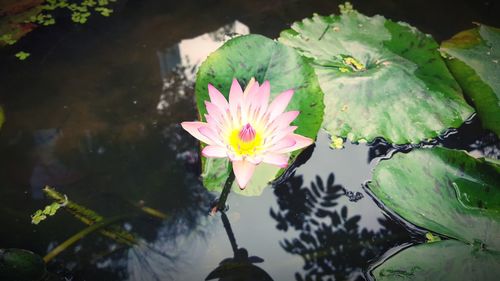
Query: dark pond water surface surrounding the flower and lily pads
x=95 y=113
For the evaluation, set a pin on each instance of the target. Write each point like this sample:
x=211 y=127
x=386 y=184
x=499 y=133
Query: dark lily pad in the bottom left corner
x=21 y=265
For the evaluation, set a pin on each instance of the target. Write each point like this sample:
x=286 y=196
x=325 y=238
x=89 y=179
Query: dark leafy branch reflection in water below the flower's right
x=331 y=242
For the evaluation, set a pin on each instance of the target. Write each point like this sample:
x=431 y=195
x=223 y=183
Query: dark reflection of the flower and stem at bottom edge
x=240 y=267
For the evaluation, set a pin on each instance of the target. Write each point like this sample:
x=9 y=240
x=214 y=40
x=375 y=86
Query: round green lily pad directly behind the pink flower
x=256 y=56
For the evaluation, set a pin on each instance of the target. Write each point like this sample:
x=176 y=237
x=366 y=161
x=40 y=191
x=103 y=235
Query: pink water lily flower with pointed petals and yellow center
x=247 y=129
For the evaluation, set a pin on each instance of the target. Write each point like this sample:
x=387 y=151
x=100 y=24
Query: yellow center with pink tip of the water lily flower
x=245 y=141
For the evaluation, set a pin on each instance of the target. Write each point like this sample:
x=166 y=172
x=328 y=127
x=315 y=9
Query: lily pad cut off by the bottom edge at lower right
x=445 y=260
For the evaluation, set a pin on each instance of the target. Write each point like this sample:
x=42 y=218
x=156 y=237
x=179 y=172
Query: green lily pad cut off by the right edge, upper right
x=473 y=57
